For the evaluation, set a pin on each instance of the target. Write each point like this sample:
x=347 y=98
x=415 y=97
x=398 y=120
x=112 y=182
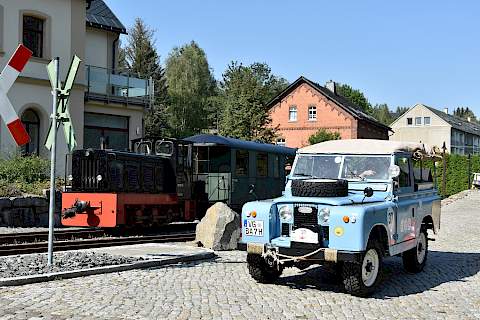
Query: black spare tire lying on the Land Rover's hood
x=320 y=188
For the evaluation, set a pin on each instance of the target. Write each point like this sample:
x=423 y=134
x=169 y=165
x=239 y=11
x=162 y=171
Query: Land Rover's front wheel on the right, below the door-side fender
x=354 y=281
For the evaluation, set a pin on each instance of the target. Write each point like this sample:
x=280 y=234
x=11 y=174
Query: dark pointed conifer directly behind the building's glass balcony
x=139 y=57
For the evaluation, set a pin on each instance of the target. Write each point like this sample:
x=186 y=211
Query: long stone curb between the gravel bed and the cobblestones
x=18 y=281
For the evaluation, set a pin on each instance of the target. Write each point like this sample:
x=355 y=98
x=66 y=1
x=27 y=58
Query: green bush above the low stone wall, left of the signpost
x=20 y=175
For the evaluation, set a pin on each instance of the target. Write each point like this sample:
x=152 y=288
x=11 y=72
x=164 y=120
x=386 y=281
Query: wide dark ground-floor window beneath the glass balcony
x=109 y=129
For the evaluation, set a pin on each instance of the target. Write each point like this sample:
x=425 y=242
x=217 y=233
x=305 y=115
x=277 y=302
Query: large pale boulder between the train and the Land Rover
x=219 y=229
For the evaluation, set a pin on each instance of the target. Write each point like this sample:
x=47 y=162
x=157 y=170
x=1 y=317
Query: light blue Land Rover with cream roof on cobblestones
x=349 y=203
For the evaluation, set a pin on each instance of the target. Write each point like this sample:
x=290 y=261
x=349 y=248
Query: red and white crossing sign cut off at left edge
x=8 y=76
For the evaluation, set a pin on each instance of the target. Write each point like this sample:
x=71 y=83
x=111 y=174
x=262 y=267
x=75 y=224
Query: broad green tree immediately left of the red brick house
x=246 y=90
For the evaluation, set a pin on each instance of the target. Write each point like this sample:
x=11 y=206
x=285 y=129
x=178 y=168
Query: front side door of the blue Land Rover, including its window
x=406 y=203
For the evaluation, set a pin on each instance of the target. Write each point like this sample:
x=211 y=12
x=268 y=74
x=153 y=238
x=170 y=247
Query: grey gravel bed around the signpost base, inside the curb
x=34 y=264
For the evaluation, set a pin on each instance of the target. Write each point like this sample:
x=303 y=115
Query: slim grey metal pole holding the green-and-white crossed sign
x=51 y=211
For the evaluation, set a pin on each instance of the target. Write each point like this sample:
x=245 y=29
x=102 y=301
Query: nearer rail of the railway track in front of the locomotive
x=40 y=247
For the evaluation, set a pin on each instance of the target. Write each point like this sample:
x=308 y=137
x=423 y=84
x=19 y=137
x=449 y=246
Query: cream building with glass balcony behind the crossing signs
x=104 y=105
